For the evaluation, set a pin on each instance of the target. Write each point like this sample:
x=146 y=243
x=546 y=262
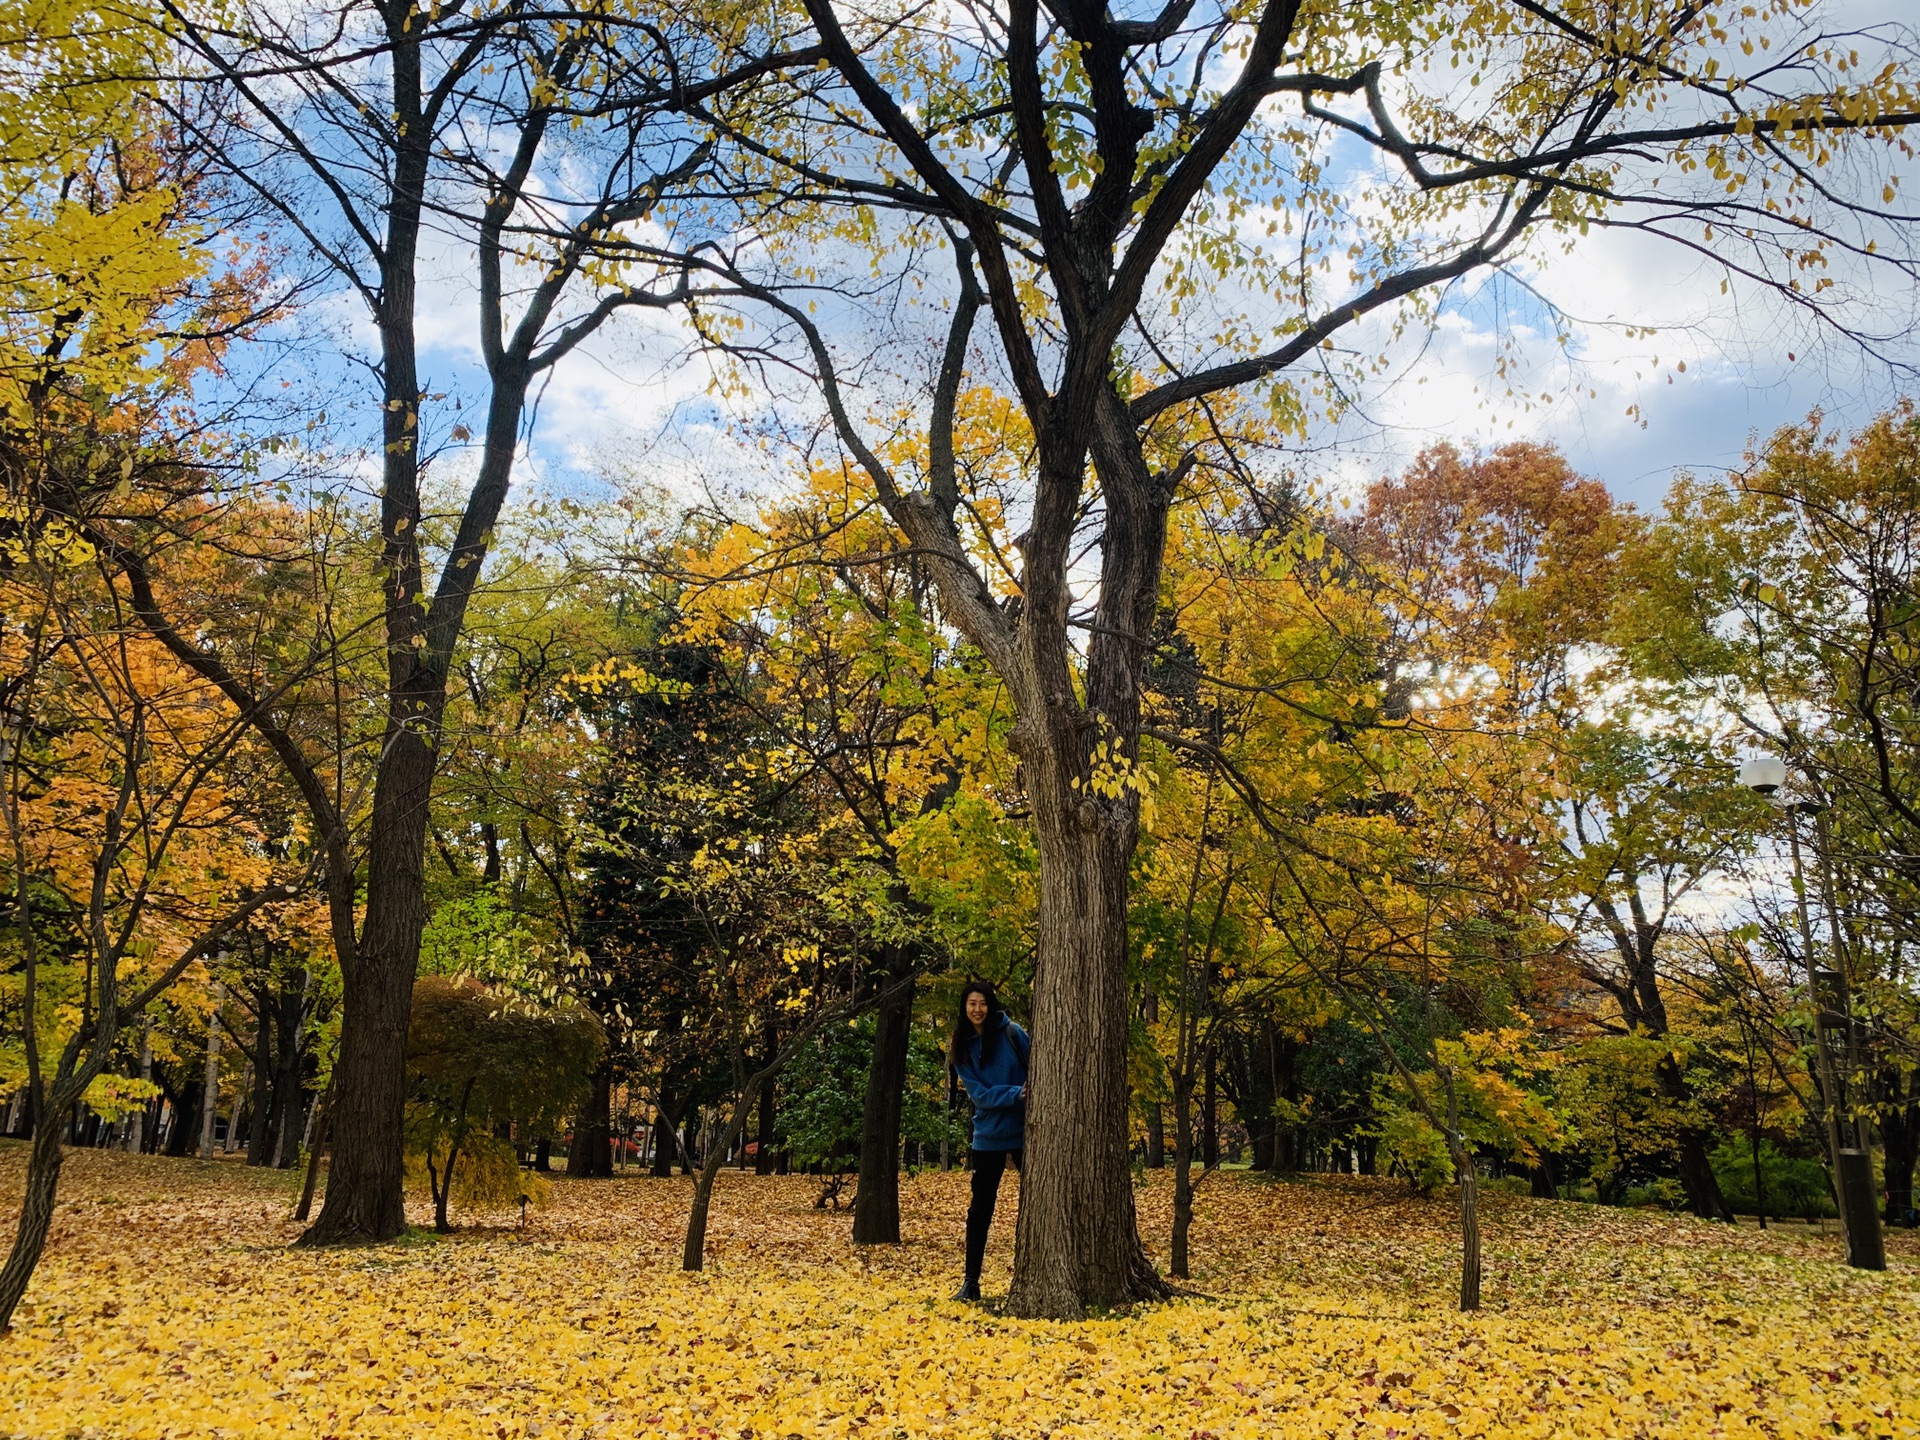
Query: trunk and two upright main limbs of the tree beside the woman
x=1078 y=1241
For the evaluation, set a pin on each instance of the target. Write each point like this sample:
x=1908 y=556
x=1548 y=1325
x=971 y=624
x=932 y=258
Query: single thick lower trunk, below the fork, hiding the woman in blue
x=1078 y=1241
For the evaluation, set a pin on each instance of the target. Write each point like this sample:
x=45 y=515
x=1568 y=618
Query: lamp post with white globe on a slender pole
x=1848 y=1149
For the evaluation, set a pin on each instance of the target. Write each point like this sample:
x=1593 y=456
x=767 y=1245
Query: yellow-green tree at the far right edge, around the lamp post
x=1785 y=596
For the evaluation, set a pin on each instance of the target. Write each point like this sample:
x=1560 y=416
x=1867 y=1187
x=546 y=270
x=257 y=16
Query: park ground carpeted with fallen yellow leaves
x=170 y=1305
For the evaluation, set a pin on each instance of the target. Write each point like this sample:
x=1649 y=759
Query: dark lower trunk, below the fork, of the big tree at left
x=366 y=1176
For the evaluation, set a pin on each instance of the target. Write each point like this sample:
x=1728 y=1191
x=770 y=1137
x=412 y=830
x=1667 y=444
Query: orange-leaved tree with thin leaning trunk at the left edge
x=132 y=850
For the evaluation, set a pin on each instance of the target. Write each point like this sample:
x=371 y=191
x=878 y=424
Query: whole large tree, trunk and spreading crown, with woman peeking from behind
x=1097 y=178
